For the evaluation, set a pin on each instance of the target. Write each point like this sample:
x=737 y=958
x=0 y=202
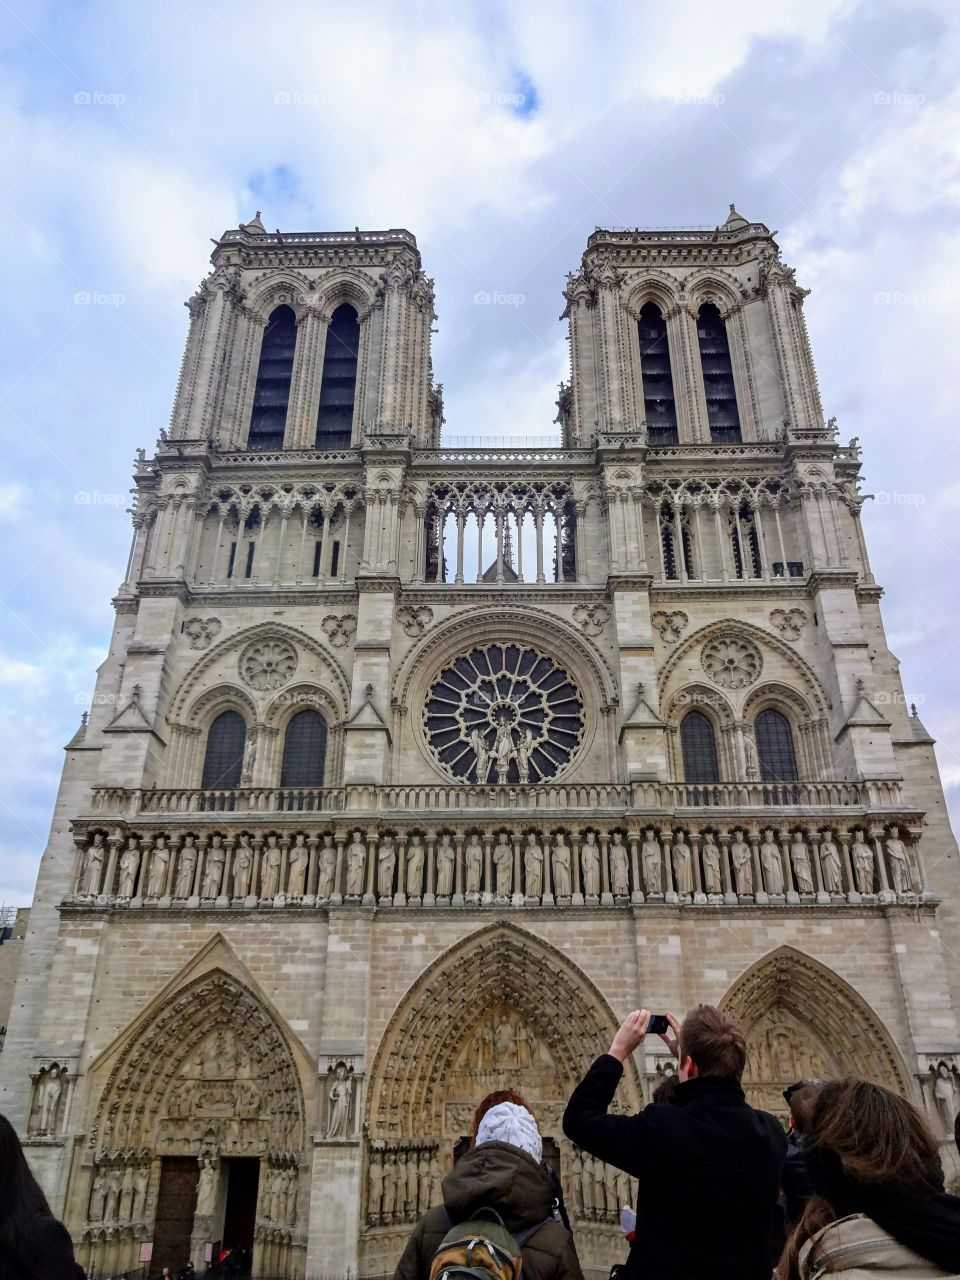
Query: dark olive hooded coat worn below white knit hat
x=504 y=1178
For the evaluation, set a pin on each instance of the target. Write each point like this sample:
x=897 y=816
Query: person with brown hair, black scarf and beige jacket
x=879 y=1205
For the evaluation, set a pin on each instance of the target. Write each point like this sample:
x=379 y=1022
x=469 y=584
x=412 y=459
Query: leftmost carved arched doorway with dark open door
x=199 y=1137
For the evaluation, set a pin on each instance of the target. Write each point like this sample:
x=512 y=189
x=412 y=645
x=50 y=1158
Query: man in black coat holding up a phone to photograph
x=708 y=1165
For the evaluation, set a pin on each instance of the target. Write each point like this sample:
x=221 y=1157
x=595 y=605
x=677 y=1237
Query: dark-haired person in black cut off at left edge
x=34 y=1246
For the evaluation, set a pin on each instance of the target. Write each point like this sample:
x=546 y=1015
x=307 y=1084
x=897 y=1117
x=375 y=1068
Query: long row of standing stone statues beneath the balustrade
x=501 y=866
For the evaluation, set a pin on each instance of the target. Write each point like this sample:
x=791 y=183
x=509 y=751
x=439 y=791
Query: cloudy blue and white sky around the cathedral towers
x=501 y=135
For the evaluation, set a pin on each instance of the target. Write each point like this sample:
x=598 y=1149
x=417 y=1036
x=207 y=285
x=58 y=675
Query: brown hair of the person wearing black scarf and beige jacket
x=880 y=1139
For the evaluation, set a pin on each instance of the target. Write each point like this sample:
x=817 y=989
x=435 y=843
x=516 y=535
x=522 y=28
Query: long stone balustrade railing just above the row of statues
x=464 y=798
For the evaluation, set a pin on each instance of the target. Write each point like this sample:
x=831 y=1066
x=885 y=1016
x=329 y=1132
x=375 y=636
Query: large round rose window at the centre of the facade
x=504 y=714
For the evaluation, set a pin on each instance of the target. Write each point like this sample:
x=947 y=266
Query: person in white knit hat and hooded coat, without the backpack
x=502 y=1172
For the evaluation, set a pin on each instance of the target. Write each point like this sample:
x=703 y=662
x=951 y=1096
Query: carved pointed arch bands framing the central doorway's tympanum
x=497 y=966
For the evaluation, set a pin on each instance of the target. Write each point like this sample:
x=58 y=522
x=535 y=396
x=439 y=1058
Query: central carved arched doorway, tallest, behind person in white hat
x=501 y=1011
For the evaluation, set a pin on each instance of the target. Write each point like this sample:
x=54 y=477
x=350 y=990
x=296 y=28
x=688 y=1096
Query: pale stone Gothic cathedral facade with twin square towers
x=414 y=769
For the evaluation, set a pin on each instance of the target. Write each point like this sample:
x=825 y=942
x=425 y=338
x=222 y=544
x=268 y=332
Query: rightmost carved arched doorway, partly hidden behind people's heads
x=803 y=1022
